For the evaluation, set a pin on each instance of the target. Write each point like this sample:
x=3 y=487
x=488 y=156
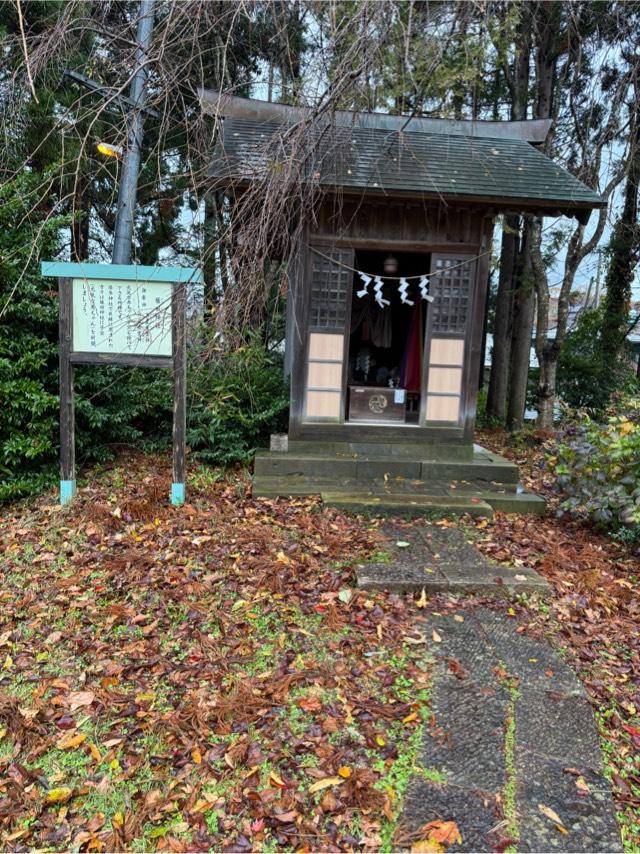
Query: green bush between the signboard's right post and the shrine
x=235 y=401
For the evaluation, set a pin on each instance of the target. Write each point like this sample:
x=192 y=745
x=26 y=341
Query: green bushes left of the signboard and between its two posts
x=113 y=405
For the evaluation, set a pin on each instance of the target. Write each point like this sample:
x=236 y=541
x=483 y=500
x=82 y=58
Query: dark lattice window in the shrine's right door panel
x=452 y=292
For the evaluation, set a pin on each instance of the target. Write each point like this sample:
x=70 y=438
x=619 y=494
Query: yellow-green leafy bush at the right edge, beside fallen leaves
x=597 y=468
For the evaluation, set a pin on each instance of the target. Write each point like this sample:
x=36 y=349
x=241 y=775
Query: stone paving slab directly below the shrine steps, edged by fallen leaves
x=440 y=559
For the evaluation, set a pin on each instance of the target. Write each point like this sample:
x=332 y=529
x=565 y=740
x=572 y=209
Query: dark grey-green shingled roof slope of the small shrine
x=504 y=172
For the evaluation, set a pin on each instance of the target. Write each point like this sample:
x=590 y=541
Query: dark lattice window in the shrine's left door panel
x=330 y=289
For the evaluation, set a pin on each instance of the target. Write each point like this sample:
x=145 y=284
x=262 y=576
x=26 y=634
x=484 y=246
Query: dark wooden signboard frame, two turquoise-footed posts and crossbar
x=69 y=359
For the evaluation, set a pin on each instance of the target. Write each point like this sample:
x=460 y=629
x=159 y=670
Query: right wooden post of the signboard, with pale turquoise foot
x=179 y=392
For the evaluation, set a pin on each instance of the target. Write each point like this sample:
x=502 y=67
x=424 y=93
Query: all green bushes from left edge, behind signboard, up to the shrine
x=235 y=399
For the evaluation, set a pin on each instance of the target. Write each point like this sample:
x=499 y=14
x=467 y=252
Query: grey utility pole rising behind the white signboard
x=127 y=192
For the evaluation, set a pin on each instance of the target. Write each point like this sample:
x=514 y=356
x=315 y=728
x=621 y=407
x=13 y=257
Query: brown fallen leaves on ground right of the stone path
x=594 y=618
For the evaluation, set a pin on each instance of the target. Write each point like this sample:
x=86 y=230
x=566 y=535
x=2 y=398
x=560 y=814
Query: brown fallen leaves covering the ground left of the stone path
x=197 y=678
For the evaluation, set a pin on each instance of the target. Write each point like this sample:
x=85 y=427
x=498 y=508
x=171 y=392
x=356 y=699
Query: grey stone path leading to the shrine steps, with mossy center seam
x=511 y=753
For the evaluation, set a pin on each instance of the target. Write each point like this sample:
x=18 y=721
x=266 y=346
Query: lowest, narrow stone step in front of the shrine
x=399 y=504
